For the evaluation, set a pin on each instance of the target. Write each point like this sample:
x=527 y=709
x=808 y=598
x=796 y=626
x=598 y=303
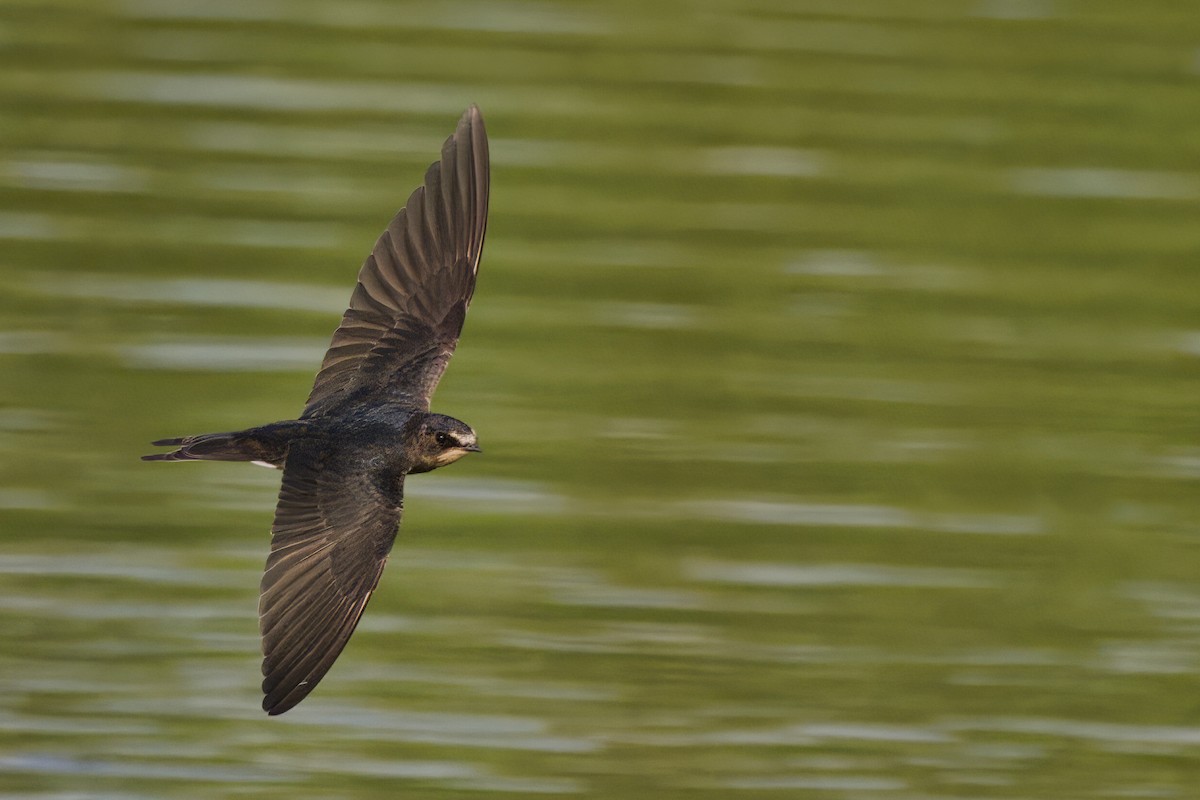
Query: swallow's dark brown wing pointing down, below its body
x=334 y=528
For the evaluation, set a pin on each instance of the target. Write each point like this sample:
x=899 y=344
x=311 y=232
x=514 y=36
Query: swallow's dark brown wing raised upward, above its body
x=409 y=308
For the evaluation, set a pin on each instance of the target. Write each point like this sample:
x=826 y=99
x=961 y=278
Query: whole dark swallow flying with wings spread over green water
x=367 y=425
